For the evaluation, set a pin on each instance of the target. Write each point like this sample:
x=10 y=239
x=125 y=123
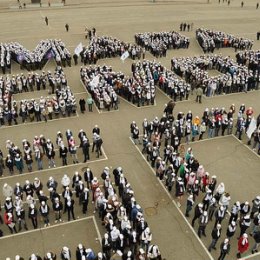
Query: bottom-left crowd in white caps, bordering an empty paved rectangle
x=127 y=235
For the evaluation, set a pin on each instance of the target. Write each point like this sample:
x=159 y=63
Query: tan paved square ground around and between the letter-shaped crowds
x=122 y=19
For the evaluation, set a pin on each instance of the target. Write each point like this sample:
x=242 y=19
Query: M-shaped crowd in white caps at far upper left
x=45 y=50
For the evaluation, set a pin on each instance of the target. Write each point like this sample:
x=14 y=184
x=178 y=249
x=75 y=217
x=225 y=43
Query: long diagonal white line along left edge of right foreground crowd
x=174 y=203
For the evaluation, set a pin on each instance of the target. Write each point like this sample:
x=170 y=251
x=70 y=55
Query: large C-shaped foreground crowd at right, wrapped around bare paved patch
x=184 y=176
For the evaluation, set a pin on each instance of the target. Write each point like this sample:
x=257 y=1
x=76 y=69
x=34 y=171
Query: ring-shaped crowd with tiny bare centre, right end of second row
x=233 y=78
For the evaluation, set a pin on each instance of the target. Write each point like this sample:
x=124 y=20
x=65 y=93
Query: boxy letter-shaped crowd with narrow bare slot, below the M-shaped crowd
x=63 y=103
